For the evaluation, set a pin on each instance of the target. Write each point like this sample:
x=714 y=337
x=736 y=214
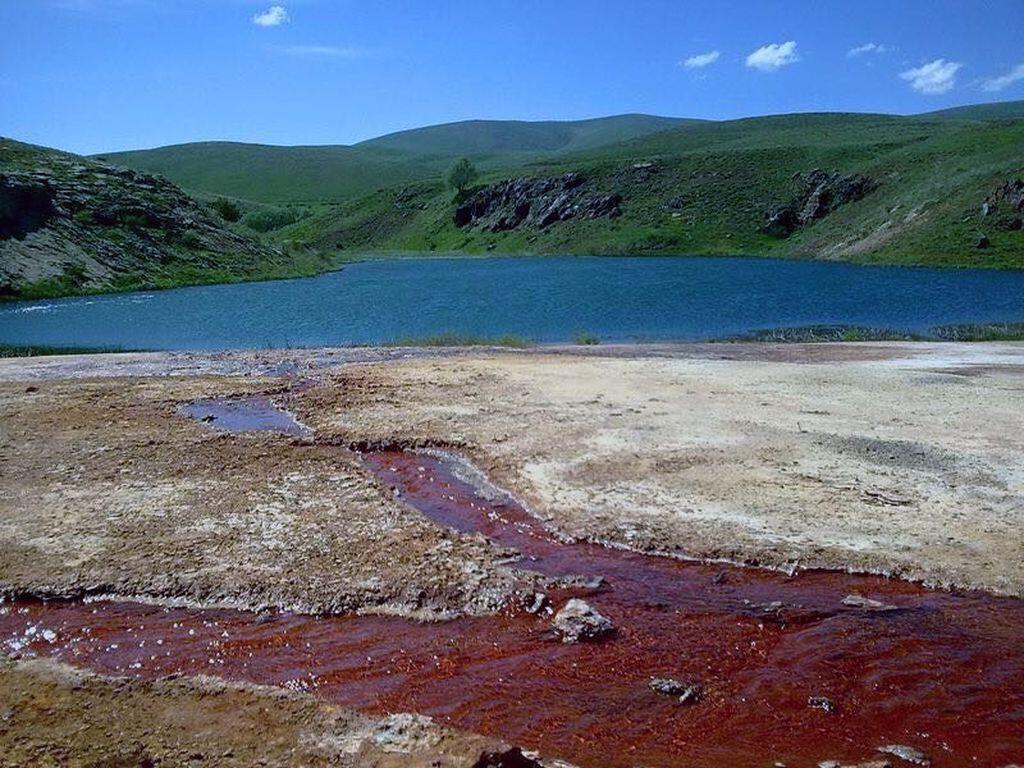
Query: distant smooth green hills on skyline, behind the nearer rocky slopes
x=310 y=175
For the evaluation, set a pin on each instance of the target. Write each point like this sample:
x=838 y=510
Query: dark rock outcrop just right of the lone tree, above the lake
x=535 y=203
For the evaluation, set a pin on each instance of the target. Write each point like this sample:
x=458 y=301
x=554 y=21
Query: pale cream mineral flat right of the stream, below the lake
x=897 y=459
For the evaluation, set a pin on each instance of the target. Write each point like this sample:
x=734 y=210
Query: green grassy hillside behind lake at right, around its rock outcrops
x=722 y=178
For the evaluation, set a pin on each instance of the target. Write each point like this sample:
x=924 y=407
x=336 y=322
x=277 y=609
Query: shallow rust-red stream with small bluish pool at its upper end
x=766 y=668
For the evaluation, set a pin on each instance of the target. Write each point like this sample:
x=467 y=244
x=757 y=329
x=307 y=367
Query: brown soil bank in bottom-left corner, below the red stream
x=54 y=715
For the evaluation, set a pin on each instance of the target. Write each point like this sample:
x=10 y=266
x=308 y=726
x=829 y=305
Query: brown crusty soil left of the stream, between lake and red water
x=110 y=489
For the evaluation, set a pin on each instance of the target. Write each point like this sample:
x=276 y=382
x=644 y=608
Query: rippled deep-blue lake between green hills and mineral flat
x=544 y=300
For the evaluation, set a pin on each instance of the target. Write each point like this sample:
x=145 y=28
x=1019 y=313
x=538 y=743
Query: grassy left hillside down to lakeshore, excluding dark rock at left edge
x=138 y=250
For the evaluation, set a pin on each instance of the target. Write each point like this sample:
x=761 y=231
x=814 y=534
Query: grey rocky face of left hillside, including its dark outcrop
x=67 y=219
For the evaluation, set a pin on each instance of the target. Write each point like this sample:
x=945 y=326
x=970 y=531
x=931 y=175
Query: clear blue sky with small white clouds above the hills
x=101 y=75
